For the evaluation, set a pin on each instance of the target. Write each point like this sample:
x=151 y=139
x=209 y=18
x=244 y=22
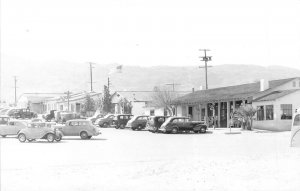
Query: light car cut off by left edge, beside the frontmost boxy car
x=12 y=127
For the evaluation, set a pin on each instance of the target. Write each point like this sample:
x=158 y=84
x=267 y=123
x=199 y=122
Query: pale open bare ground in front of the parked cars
x=139 y=160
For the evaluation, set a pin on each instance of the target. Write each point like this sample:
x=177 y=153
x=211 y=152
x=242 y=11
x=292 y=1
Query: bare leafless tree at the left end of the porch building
x=163 y=98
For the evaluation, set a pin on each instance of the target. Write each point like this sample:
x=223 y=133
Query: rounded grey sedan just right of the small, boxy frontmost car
x=79 y=127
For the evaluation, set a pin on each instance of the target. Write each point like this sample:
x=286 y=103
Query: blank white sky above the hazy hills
x=153 y=32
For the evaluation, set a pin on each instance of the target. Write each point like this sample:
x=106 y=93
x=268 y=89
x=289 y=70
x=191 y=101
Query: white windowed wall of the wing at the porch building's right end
x=277 y=124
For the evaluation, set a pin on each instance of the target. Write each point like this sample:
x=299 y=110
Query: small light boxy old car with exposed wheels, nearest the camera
x=40 y=130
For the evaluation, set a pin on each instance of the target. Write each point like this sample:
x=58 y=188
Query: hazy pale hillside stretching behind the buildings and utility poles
x=62 y=76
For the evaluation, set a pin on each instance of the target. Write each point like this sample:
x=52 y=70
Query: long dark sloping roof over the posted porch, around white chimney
x=238 y=92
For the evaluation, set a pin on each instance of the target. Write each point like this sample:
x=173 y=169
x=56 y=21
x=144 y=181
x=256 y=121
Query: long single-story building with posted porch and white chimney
x=279 y=95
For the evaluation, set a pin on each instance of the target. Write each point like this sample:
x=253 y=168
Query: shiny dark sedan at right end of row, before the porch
x=177 y=124
